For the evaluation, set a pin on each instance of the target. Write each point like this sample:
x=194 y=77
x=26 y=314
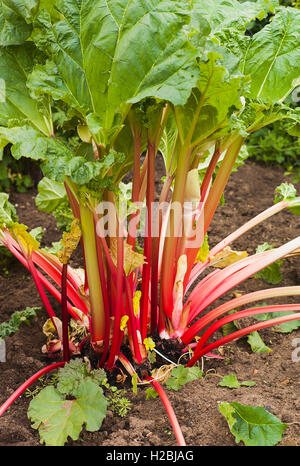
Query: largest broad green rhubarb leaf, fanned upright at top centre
x=110 y=54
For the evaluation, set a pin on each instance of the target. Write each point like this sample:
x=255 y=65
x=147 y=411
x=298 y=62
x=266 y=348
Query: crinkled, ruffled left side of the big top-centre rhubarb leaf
x=61 y=42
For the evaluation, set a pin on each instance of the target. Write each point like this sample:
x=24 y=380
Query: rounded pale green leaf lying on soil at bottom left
x=57 y=419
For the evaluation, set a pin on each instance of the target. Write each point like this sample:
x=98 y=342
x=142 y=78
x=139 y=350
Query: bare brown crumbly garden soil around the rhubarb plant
x=277 y=387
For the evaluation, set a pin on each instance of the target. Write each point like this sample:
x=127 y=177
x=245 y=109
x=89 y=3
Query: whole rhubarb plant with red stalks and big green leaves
x=176 y=78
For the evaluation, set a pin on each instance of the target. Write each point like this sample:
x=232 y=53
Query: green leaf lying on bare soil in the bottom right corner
x=252 y=425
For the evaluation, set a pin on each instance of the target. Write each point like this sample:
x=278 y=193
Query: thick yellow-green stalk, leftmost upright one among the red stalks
x=93 y=275
